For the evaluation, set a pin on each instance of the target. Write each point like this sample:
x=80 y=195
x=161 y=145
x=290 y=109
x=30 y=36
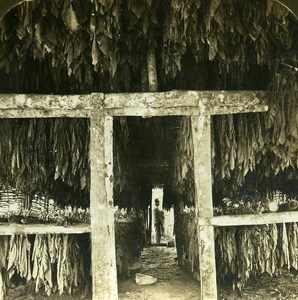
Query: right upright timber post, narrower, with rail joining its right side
x=201 y=134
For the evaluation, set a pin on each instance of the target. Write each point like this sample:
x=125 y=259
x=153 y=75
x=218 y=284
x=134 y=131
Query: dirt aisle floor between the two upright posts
x=172 y=281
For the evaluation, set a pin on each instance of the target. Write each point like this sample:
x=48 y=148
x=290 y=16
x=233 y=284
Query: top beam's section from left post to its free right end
x=185 y=103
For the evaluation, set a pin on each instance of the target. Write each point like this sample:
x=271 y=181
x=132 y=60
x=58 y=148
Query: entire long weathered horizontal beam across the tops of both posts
x=132 y=104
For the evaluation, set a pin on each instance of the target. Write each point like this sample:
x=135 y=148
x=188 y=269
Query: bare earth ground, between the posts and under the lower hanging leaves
x=174 y=283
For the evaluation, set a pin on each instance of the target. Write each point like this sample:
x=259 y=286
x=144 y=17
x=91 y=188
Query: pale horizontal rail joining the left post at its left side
x=11 y=229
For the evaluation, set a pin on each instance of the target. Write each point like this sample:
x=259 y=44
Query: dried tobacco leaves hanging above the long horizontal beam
x=110 y=39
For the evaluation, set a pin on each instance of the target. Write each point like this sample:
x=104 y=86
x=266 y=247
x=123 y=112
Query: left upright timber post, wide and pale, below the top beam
x=104 y=272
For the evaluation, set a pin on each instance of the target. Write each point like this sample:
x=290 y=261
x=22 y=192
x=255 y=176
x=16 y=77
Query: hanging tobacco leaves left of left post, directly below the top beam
x=39 y=154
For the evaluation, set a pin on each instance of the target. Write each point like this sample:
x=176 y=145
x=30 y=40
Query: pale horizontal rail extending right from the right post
x=253 y=219
